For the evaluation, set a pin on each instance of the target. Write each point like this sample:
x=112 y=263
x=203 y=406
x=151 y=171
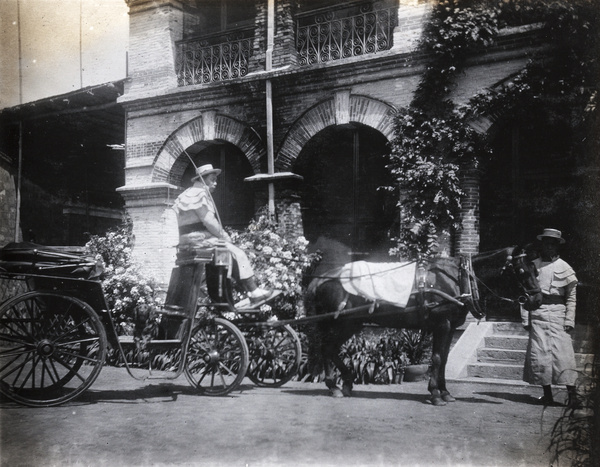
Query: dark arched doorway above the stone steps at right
x=529 y=184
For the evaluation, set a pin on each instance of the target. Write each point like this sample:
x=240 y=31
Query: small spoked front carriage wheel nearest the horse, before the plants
x=275 y=354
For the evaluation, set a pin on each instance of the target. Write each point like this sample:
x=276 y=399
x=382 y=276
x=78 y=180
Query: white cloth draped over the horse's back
x=391 y=282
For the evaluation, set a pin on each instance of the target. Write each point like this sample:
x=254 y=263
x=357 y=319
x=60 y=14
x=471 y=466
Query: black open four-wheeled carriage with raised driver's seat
x=56 y=328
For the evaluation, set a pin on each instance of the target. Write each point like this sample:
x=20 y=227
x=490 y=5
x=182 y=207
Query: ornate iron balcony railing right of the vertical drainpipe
x=331 y=38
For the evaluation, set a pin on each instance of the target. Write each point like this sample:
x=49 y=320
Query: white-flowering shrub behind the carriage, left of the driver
x=124 y=285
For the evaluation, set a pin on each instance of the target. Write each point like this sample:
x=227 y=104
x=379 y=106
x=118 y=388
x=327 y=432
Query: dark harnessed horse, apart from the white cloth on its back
x=444 y=291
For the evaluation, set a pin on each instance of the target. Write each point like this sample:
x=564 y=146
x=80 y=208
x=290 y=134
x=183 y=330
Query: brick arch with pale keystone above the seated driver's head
x=169 y=164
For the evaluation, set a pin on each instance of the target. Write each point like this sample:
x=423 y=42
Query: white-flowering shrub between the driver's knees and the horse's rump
x=279 y=262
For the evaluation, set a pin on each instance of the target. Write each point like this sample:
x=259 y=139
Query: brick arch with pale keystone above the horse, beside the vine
x=342 y=109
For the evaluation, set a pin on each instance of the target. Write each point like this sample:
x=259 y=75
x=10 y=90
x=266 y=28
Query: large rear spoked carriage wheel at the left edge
x=52 y=348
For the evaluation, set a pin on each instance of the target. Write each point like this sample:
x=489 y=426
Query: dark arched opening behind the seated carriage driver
x=233 y=197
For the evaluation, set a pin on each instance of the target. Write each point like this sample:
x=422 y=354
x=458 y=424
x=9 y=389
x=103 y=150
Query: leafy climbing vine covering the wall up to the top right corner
x=434 y=141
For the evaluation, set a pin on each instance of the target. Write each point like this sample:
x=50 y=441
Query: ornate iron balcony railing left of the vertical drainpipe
x=214 y=58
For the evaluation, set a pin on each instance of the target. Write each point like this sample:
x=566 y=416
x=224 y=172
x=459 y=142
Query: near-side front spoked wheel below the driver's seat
x=217 y=357
